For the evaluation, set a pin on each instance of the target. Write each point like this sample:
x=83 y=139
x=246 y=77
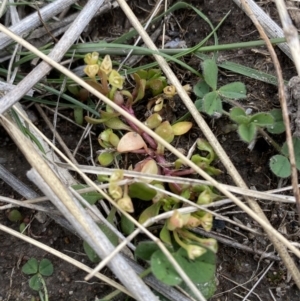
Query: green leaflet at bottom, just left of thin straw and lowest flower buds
x=163 y=270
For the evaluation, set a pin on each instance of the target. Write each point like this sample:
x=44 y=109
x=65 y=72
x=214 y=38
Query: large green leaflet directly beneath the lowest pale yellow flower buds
x=200 y=270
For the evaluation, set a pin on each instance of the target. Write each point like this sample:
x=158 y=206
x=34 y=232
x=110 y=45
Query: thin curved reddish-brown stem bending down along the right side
x=289 y=263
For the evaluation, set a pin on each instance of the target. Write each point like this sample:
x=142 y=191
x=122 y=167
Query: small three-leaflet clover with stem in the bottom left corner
x=38 y=270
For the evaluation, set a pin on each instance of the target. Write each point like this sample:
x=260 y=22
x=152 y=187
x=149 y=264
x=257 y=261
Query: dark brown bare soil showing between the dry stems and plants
x=237 y=270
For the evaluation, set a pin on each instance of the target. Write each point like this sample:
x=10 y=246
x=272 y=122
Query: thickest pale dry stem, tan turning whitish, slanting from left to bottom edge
x=76 y=215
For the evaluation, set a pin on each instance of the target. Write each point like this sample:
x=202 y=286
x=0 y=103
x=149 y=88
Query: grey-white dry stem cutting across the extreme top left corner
x=33 y=20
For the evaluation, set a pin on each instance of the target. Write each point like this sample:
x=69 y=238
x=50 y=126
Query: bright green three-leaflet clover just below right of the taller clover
x=248 y=124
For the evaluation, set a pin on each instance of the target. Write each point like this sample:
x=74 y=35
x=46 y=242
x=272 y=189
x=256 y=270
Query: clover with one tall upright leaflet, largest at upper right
x=209 y=96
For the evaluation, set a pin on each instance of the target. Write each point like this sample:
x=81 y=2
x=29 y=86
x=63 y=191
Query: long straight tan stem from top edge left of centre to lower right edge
x=290 y=265
